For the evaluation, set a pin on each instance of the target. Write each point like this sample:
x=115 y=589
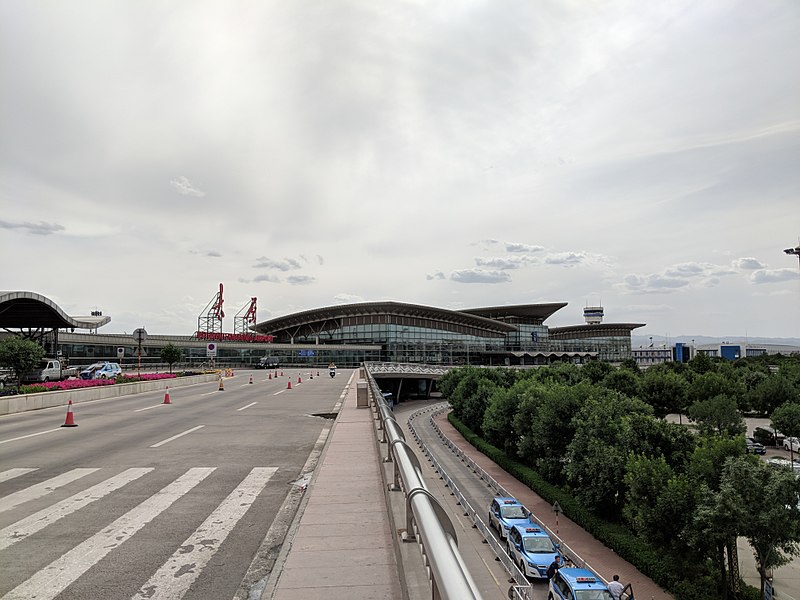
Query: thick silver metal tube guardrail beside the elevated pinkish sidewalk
x=426 y=521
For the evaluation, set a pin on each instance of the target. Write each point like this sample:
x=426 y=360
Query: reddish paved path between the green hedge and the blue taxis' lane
x=602 y=560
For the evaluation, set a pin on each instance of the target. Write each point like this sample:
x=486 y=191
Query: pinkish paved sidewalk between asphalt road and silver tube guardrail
x=342 y=545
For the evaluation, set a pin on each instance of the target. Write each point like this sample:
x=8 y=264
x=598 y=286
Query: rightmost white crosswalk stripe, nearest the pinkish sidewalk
x=173 y=579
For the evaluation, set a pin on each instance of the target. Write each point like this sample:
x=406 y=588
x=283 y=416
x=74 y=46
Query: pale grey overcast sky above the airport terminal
x=456 y=154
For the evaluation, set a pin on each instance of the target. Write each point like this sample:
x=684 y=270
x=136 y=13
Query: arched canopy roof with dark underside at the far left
x=31 y=310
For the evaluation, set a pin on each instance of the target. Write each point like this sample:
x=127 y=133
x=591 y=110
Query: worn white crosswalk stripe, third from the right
x=30 y=525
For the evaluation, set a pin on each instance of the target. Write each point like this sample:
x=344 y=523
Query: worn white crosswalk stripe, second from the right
x=55 y=577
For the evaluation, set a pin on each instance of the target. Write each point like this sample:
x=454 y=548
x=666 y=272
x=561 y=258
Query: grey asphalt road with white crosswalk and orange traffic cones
x=151 y=500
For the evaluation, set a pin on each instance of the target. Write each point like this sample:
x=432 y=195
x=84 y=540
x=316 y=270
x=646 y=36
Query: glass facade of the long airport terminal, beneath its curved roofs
x=351 y=339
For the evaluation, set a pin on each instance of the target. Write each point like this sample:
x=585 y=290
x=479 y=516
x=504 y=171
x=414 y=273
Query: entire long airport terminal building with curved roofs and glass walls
x=347 y=334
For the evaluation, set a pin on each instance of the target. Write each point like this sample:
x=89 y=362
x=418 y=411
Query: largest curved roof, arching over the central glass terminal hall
x=321 y=315
